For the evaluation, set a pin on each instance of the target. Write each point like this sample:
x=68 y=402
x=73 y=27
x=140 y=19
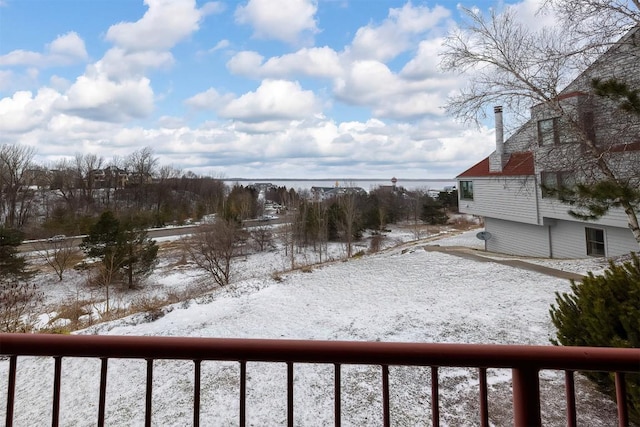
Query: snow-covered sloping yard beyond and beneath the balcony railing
x=402 y=294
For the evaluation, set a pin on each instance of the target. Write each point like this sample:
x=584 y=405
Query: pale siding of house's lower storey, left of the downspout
x=517 y=238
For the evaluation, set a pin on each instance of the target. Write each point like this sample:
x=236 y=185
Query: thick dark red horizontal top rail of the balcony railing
x=311 y=351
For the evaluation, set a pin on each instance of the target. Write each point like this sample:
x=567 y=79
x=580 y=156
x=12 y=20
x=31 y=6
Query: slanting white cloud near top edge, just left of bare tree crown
x=395 y=34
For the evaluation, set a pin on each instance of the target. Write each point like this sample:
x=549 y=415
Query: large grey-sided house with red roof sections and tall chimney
x=507 y=190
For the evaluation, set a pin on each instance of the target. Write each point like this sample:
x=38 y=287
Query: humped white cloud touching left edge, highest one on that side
x=64 y=50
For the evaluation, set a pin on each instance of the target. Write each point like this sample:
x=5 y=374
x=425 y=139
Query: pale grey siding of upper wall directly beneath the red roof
x=507 y=198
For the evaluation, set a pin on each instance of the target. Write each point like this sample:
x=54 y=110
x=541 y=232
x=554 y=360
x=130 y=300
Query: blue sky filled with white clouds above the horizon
x=252 y=89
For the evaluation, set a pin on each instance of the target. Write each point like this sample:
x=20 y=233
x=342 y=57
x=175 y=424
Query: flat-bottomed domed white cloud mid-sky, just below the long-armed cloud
x=273 y=100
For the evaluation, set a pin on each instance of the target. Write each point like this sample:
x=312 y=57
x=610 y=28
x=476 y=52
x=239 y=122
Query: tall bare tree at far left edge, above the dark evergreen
x=16 y=162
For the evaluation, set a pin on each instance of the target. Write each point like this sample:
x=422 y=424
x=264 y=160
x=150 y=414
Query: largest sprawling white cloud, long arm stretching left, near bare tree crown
x=419 y=89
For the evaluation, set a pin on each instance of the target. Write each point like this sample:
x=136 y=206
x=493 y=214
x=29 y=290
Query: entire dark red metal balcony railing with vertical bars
x=524 y=361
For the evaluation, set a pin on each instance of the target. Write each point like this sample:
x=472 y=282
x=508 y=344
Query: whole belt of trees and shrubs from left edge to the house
x=86 y=198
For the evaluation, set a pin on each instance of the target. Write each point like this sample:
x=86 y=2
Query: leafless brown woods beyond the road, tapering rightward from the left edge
x=62 y=198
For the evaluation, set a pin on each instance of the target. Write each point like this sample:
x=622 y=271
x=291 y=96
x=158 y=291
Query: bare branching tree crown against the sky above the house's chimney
x=507 y=63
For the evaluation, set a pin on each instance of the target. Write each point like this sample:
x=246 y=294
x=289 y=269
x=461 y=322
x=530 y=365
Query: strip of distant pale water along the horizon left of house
x=366 y=184
